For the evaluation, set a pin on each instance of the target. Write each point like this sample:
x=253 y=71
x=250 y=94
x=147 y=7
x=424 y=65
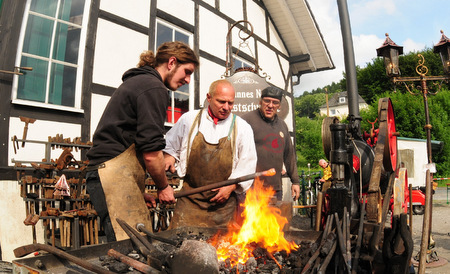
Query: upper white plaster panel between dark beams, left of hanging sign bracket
x=212 y=34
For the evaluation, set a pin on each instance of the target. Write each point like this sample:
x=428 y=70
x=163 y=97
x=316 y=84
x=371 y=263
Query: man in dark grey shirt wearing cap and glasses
x=273 y=143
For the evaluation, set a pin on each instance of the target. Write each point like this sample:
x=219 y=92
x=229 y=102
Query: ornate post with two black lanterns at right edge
x=390 y=52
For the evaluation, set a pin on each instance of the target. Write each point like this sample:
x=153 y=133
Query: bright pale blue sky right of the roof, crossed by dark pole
x=413 y=24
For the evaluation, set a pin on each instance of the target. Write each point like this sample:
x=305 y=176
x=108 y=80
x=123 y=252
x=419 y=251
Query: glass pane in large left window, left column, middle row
x=38 y=36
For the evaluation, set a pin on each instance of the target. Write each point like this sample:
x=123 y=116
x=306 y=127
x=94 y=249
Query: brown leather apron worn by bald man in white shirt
x=206 y=163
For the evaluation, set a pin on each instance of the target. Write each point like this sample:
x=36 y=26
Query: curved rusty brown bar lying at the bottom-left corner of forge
x=27 y=249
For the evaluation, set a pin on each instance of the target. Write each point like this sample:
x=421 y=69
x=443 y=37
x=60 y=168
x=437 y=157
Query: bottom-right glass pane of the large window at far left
x=62 y=85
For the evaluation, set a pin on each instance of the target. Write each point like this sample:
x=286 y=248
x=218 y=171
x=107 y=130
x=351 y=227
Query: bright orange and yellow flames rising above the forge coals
x=263 y=225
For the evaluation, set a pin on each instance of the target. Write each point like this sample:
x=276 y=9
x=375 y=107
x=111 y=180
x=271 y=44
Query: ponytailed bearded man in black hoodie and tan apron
x=133 y=124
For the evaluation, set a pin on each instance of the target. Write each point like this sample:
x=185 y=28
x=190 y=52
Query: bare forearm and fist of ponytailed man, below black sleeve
x=154 y=162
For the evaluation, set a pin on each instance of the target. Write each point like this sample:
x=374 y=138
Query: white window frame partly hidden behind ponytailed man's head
x=191 y=84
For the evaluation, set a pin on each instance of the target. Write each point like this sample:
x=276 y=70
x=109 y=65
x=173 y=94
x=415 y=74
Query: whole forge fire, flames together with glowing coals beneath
x=259 y=243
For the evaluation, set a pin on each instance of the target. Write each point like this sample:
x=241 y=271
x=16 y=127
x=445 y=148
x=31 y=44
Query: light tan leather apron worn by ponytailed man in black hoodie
x=123 y=182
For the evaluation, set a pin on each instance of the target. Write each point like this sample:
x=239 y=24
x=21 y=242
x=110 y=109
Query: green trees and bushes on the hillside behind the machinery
x=373 y=84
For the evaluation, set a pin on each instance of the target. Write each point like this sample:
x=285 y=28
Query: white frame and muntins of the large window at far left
x=79 y=65
